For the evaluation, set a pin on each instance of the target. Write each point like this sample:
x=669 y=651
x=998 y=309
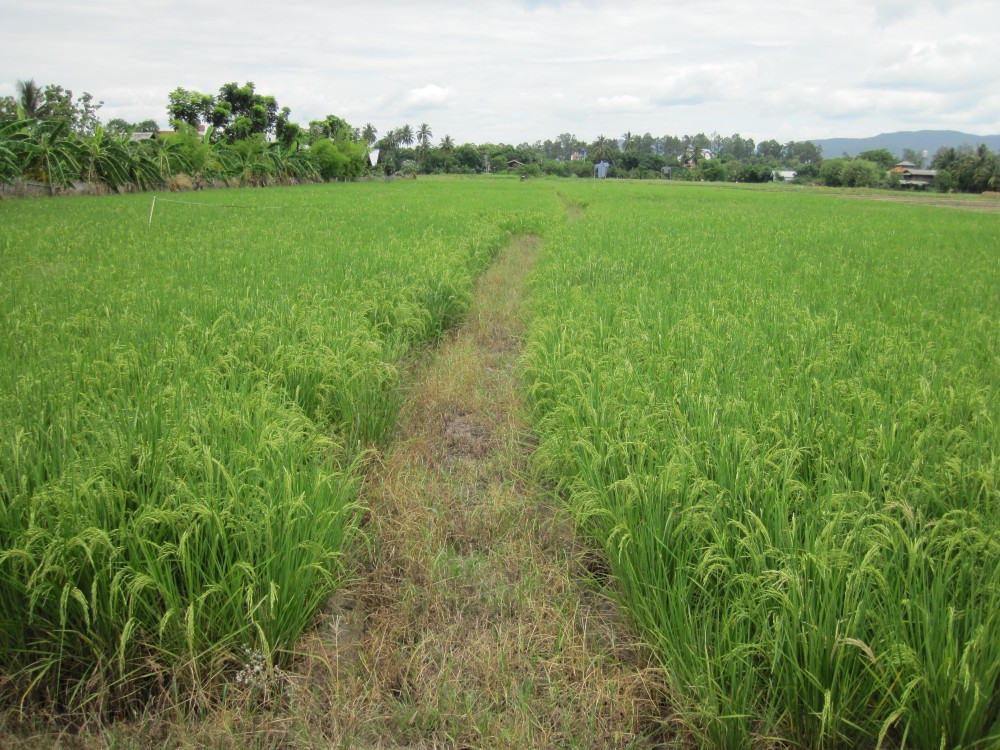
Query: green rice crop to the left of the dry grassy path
x=183 y=410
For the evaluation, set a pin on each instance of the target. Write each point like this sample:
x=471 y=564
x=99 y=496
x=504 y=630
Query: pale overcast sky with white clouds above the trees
x=526 y=70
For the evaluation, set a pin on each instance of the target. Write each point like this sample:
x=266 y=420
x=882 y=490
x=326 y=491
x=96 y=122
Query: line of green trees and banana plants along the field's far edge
x=240 y=136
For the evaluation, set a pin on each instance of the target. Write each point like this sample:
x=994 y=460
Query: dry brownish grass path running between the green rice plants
x=472 y=628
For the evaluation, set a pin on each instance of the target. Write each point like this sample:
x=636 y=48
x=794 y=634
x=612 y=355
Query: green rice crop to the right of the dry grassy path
x=777 y=415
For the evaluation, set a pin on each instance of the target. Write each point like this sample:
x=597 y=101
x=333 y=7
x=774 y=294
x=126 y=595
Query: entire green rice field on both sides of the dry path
x=773 y=413
